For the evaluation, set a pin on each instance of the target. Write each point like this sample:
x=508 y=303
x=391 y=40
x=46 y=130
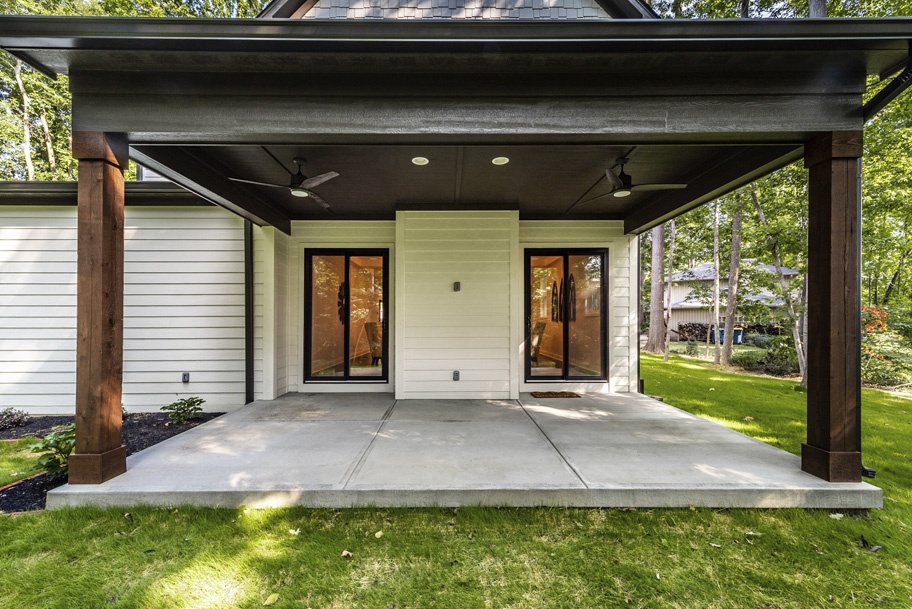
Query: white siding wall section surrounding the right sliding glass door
x=623 y=358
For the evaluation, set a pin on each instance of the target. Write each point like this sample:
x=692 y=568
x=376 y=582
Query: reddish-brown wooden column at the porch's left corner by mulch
x=99 y=455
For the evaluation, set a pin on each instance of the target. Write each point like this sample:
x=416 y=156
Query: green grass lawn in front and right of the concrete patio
x=485 y=557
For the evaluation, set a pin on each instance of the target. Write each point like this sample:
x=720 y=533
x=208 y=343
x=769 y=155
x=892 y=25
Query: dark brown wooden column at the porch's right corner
x=833 y=449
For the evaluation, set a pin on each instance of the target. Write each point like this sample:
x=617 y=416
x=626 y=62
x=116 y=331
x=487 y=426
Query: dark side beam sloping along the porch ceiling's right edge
x=718 y=176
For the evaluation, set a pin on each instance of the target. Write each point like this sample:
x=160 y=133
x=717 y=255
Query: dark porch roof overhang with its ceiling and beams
x=714 y=104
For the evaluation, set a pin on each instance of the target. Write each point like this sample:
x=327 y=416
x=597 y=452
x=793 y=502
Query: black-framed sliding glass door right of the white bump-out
x=565 y=315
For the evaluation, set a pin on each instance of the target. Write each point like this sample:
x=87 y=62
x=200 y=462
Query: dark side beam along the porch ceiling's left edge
x=202 y=175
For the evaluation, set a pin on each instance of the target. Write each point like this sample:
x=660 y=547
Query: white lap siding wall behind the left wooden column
x=183 y=307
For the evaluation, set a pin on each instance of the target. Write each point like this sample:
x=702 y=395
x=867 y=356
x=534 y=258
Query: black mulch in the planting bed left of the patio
x=139 y=431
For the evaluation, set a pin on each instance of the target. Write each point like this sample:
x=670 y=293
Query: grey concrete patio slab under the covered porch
x=341 y=450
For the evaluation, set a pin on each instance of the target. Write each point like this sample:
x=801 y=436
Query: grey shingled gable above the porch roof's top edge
x=458 y=9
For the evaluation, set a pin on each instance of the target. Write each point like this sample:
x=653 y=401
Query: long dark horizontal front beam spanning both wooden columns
x=280 y=120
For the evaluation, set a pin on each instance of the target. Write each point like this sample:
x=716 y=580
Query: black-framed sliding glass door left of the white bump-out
x=345 y=330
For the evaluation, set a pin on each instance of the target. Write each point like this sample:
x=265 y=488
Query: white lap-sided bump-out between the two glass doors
x=442 y=330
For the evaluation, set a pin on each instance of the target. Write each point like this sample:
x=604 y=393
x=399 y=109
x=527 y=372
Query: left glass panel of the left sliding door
x=327 y=344
